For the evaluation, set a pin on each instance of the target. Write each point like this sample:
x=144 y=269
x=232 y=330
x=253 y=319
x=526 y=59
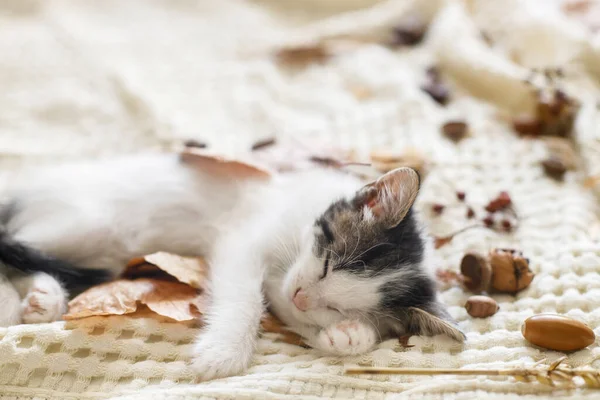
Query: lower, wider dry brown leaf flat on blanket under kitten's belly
x=175 y=300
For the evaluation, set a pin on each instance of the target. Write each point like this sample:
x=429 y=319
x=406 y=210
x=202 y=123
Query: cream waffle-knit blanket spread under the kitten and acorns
x=93 y=78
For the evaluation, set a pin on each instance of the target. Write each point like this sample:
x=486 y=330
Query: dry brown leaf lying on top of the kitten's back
x=218 y=165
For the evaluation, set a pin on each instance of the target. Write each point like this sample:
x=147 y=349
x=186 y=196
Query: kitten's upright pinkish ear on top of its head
x=389 y=198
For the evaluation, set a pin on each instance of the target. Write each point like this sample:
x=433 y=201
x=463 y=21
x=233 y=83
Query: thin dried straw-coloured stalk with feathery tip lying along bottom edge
x=553 y=375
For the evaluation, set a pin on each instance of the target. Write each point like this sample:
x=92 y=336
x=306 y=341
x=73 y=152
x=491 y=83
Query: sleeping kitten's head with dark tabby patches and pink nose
x=365 y=259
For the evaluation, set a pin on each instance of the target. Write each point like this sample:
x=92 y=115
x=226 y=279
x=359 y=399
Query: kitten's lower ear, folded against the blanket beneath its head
x=434 y=321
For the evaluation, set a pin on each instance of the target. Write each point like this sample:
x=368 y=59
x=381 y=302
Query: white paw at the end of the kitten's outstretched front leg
x=217 y=358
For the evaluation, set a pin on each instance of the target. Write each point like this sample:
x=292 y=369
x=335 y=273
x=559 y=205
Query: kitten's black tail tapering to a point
x=29 y=260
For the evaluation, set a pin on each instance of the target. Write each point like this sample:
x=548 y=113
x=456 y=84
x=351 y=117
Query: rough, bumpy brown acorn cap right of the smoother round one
x=510 y=270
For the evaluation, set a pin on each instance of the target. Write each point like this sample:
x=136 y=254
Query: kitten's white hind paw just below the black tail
x=46 y=302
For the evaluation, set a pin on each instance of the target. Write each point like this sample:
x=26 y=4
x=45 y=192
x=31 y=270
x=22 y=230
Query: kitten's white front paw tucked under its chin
x=348 y=337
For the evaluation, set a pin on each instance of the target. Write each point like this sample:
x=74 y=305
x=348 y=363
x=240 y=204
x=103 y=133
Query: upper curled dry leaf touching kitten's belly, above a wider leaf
x=190 y=270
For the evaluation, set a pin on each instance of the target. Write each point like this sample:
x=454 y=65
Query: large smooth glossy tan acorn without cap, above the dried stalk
x=557 y=332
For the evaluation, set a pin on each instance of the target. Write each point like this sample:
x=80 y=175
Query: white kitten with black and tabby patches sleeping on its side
x=343 y=264
